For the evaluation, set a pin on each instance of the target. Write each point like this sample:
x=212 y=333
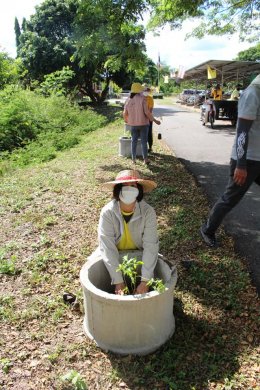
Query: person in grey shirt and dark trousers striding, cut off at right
x=244 y=163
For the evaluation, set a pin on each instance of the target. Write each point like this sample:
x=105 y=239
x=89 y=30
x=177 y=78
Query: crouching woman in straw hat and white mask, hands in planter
x=127 y=222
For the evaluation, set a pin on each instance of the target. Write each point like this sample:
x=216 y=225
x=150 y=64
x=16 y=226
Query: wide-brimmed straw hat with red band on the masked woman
x=131 y=176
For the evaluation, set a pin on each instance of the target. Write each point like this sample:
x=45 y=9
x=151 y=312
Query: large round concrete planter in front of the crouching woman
x=130 y=324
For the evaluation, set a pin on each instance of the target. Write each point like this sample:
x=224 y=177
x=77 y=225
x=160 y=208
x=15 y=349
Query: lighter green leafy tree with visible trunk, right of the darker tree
x=109 y=42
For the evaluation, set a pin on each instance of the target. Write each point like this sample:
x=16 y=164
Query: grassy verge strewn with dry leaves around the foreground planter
x=49 y=216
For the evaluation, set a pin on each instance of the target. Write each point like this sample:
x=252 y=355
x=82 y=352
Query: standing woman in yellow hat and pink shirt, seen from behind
x=137 y=115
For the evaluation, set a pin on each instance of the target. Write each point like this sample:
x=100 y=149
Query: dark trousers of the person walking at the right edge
x=232 y=195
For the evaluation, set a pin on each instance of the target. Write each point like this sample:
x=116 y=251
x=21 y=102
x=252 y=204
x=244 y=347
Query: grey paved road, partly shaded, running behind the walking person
x=206 y=154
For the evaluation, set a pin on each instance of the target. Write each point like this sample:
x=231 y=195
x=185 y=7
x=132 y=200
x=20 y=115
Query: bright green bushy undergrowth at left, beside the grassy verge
x=52 y=123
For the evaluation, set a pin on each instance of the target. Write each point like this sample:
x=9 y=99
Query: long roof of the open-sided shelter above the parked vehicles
x=238 y=71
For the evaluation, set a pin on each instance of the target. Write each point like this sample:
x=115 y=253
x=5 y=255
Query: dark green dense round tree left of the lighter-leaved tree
x=46 y=43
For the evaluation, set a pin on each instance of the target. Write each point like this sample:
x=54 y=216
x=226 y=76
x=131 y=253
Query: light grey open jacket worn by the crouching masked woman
x=143 y=229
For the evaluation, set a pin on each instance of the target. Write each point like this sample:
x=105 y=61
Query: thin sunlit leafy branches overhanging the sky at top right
x=218 y=17
